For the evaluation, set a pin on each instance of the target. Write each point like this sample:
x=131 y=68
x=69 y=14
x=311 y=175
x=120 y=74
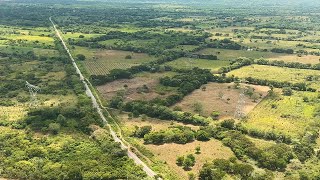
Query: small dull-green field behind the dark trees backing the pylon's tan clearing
x=187 y=63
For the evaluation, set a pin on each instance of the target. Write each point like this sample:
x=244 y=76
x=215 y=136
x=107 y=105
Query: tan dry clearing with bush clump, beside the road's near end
x=210 y=150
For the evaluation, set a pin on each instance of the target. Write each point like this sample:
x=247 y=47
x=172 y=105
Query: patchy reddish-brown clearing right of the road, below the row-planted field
x=109 y=90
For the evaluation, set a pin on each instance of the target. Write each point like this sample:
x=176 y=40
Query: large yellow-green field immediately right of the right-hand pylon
x=291 y=116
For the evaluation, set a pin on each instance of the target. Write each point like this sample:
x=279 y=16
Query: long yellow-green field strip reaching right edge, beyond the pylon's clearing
x=278 y=74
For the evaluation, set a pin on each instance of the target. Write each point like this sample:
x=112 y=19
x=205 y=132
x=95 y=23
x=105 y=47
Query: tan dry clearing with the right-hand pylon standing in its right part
x=216 y=96
